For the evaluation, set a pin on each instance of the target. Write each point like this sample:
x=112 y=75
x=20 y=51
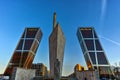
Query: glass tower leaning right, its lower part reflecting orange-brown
x=25 y=51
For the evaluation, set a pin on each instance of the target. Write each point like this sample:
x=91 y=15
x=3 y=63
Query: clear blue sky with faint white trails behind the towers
x=103 y=15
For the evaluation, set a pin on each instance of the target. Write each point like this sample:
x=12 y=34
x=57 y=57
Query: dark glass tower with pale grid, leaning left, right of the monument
x=93 y=52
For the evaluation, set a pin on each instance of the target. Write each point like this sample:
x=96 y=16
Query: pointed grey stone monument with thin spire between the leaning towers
x=56 y=49
